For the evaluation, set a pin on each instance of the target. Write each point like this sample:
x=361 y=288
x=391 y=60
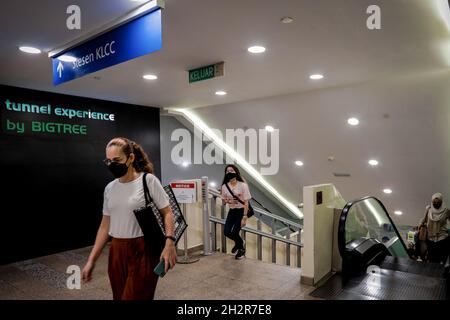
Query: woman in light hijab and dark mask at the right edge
x=436 y=216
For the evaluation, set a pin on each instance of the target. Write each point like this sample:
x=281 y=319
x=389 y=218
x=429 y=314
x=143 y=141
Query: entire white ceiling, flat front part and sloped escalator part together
x=401 y=70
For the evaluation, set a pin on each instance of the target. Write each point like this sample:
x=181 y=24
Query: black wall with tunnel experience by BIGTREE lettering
x=52 y=184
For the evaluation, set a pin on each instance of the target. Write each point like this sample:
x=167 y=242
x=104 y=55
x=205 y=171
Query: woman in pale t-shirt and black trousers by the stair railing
x=237 y=215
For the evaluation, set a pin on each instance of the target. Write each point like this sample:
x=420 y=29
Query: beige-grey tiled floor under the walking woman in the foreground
x=218 y=276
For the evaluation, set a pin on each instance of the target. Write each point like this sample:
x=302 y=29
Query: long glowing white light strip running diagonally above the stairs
x=200 y=124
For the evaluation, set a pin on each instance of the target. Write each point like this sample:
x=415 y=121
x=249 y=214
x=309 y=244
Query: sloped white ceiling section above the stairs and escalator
x=404 y=124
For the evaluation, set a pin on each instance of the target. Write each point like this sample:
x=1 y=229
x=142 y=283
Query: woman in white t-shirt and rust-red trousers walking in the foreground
x=131 y=261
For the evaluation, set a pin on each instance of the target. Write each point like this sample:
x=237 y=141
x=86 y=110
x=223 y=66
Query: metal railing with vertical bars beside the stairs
x=260 y=234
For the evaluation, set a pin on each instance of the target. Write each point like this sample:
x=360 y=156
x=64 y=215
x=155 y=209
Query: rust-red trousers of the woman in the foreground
x=130 y=269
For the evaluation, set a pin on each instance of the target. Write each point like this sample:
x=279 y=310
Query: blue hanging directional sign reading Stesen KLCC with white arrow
x=128 y=41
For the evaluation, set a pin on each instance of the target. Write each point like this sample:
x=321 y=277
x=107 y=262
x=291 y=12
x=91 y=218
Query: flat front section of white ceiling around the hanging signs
x=328 y=36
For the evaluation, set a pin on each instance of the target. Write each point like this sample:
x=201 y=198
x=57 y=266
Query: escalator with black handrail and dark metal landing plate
x=376 y=264
